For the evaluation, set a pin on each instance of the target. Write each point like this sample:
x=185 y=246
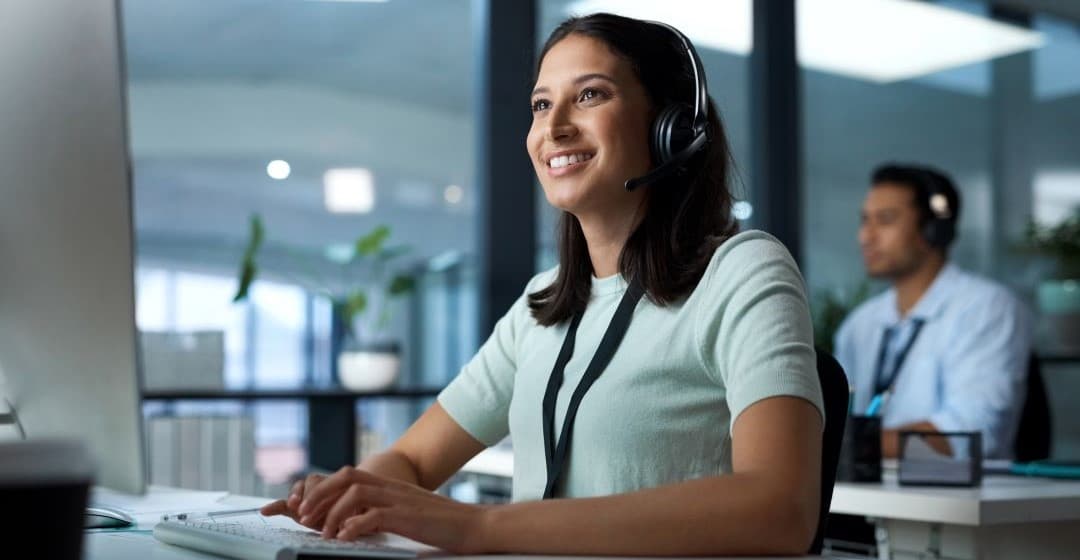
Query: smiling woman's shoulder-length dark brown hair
x=687 y=216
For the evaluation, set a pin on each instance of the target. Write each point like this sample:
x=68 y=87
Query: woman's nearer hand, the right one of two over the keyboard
x=353 y=503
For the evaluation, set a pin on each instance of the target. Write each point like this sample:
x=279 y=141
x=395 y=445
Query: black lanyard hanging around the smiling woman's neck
x=557 y=456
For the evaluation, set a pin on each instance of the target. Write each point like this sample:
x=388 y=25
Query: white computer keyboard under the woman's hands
x=253 y=542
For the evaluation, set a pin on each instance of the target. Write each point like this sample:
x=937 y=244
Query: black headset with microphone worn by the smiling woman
x=680 y=131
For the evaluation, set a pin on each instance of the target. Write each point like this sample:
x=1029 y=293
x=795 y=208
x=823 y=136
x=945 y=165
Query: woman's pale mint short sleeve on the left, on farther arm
x=479 y=398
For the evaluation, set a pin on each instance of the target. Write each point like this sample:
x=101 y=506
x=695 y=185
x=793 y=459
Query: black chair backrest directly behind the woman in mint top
x=834 y=389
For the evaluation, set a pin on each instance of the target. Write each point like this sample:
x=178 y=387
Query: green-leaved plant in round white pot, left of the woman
x=362 y=292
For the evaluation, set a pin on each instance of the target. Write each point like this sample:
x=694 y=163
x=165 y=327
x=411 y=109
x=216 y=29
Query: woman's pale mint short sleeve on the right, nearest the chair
x=754 y=327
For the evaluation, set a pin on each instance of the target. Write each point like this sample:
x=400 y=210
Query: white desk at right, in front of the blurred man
x=1007 y=517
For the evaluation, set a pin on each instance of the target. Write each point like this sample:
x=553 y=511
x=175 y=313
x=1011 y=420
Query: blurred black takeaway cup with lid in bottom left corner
x=45 y=488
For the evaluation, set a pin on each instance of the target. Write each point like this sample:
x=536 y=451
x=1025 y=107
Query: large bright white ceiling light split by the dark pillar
x=877 y=40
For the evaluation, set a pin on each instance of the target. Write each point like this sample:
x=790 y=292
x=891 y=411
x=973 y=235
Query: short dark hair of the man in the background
x=924 y=182
